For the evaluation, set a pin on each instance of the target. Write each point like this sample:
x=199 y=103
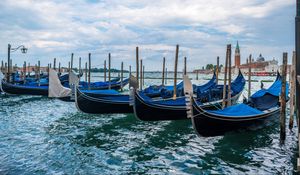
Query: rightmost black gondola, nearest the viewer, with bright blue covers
x=260 y=106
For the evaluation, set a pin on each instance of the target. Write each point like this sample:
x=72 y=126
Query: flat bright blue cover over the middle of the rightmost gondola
x=239 y=110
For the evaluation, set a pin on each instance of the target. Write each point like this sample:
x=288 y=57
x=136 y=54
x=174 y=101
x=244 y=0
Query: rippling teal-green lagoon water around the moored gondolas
x=47 y=136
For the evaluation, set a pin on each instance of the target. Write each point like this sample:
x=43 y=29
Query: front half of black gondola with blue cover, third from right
x=93 y=103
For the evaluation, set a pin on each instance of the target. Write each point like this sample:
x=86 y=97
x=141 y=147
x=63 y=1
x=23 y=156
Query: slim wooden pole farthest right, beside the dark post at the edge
x=292 y=90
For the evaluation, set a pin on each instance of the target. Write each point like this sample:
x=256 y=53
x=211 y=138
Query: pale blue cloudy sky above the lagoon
x=202 y=28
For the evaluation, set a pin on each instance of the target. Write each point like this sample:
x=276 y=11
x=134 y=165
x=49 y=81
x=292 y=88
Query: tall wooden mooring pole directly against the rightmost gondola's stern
x=283 y=99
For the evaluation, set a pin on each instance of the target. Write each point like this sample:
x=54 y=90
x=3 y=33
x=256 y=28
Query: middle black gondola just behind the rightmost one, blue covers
x=148 y=109
